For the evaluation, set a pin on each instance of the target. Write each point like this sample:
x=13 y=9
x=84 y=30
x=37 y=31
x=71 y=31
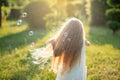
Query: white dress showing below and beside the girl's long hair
x=78 y=72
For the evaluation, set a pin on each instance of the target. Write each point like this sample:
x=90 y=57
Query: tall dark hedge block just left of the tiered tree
x=98 y=8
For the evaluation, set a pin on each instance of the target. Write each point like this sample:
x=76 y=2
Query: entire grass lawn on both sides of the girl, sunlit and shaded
x=103 y=55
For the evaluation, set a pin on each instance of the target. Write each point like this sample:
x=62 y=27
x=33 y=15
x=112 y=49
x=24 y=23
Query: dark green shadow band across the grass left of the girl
x=18 y=40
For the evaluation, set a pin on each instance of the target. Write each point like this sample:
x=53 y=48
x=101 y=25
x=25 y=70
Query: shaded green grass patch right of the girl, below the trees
x=102 y=36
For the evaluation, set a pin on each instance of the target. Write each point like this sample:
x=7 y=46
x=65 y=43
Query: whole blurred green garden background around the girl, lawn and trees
x=29 y=24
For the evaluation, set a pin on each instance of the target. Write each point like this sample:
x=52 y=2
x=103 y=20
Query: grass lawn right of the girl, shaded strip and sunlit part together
x=103 y=55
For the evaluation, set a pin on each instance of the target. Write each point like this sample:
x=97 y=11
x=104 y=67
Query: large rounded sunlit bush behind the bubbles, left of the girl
x=36 y=12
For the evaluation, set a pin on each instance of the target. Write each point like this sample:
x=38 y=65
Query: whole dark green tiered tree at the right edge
x=113 y=15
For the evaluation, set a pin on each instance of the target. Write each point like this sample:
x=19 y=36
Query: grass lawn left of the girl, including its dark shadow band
x=15 y=62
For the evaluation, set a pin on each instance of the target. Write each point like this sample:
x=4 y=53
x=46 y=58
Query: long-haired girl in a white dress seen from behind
x=69 y=51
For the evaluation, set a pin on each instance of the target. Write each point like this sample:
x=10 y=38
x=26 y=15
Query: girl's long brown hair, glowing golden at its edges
x=67 y=45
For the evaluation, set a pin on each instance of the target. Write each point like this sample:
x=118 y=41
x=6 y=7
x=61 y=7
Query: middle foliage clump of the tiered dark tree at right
x=113 y=14
